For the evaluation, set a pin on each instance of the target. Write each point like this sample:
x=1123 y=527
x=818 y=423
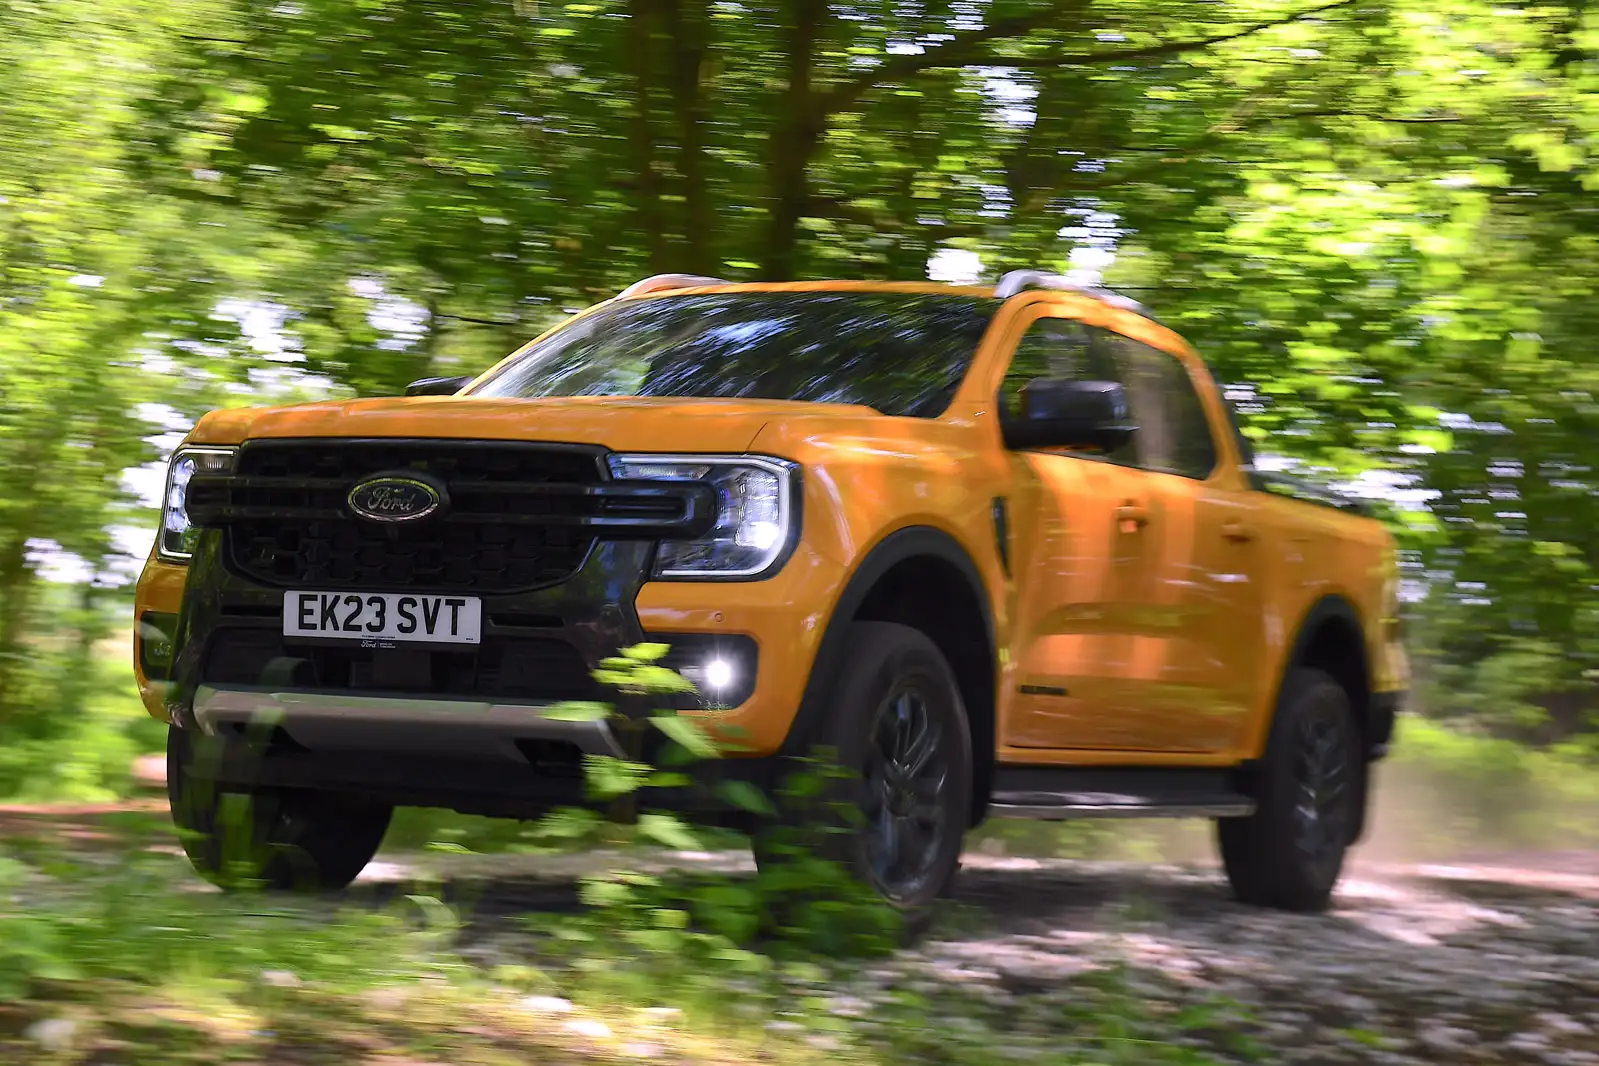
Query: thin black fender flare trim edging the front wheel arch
x=898 y=547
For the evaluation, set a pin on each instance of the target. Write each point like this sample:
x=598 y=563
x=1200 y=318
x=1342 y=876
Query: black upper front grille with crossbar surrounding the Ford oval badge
x=519 y=517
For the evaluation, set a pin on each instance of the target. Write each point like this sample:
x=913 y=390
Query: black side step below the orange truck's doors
x=1059 y=794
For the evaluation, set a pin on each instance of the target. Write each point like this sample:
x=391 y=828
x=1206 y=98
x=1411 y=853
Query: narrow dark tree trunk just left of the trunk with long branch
x=688 y=33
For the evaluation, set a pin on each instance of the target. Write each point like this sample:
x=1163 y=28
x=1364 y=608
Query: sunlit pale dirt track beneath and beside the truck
x=1486 y=963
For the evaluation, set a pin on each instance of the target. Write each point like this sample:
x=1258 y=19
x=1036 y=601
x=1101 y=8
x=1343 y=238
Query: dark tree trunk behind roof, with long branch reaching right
x=796 y=140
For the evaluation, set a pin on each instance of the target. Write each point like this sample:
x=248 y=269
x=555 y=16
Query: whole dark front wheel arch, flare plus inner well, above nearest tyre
x=922 y=578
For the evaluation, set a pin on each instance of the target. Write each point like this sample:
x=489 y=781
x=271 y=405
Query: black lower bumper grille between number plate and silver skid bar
x=500 y=669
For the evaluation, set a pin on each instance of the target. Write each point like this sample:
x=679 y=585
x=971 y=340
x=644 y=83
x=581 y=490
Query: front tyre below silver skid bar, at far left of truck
x=281 y=838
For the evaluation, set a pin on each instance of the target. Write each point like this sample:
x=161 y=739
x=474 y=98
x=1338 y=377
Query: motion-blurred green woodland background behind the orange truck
x=1376 y=218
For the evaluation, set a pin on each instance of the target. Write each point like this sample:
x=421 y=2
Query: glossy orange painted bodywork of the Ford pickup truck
x=1170 y=637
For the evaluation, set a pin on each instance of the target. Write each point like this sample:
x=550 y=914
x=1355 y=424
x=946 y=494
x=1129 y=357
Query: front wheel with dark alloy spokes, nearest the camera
x=898 y=726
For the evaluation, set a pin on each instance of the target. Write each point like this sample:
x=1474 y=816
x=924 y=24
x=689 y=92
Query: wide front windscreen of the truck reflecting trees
x=899 y=354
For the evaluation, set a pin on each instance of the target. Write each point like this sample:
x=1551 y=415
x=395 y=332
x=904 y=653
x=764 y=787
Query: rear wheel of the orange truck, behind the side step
x=1290 y=854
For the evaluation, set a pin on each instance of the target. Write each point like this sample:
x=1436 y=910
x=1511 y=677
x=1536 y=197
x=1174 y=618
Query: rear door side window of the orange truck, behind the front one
x=1174 y=434
